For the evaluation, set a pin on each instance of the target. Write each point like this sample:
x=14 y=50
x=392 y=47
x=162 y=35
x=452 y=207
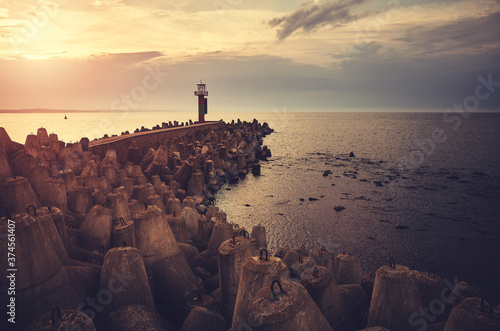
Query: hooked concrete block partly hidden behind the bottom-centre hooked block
x=257 y=272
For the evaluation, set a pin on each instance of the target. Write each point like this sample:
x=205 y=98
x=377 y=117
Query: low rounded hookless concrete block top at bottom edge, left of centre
x=200 y=319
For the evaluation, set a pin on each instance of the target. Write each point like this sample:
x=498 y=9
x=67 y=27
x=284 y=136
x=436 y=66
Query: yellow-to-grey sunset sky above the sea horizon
x=253 y=55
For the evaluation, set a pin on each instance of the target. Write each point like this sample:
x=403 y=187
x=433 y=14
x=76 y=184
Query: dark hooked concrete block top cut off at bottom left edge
x=65 y=319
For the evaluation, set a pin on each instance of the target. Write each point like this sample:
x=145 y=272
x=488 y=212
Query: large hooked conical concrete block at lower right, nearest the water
x=395 y=298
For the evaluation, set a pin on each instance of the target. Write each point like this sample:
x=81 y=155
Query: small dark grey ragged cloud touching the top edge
x=312 y=16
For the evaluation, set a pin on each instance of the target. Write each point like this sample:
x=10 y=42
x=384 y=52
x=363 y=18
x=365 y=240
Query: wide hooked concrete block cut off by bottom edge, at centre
x=285 y=306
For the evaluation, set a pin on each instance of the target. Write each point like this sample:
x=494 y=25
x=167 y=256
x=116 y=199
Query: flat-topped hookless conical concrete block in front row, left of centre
x=124 y=280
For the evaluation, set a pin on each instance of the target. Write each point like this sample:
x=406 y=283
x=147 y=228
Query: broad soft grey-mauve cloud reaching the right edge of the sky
x=474 y=34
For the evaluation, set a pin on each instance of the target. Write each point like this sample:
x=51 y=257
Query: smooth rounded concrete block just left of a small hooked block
x=96 y=228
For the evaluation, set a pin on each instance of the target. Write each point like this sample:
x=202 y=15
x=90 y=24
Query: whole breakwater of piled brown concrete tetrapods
x=134 y=241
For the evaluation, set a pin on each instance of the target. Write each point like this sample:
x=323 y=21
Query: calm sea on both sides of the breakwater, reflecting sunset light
x=420 y=188
